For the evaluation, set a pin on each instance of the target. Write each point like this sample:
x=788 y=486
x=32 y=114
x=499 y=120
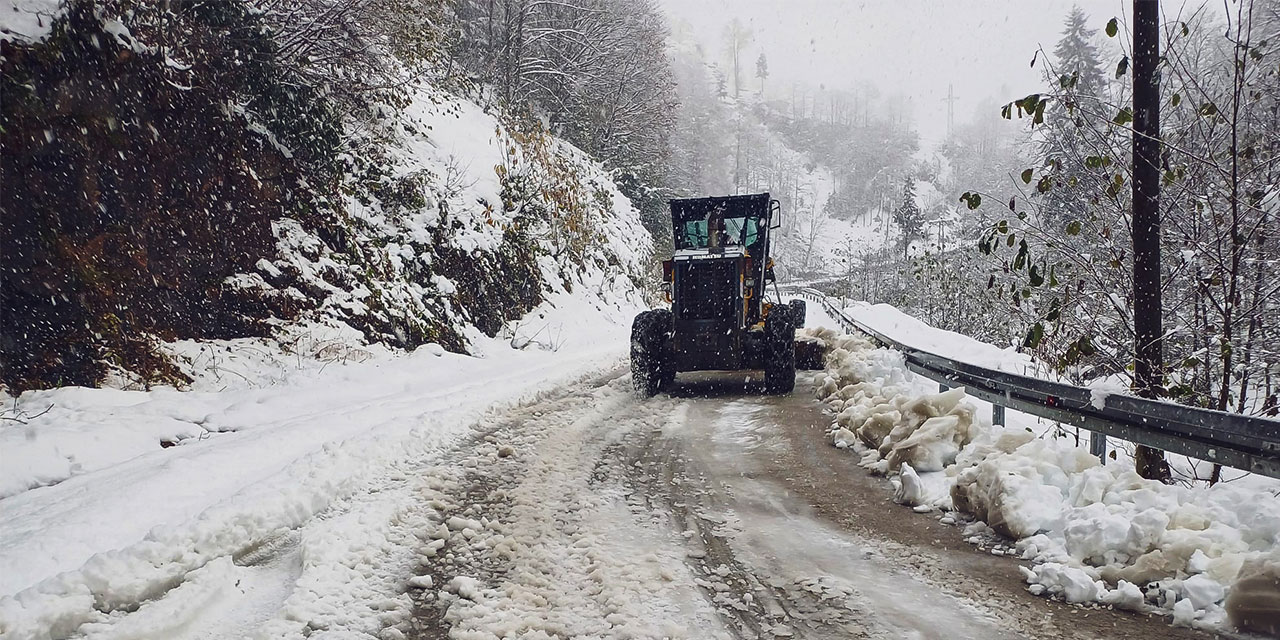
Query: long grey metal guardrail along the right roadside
x=1232 y=440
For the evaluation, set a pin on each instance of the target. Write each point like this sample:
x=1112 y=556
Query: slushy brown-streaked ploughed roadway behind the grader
x=714 y=511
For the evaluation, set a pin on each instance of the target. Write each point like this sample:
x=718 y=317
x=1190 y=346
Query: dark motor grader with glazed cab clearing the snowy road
x=716 y=280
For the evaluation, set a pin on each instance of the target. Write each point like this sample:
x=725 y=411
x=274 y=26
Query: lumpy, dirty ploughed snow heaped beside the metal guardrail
x=1094 y=533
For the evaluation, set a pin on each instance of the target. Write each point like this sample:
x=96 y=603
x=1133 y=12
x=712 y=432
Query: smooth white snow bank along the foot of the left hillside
x=136 y=519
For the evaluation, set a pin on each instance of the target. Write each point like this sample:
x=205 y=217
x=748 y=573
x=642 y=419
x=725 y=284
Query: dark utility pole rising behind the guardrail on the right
x=1149 y=368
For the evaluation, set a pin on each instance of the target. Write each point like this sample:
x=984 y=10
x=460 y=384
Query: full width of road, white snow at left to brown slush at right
x=524 y=500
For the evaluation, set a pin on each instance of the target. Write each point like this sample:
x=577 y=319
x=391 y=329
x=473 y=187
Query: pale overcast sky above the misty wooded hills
x=916 y=48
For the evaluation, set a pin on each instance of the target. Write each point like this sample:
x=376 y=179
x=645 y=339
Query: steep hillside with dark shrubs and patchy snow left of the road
x=414 y=214
